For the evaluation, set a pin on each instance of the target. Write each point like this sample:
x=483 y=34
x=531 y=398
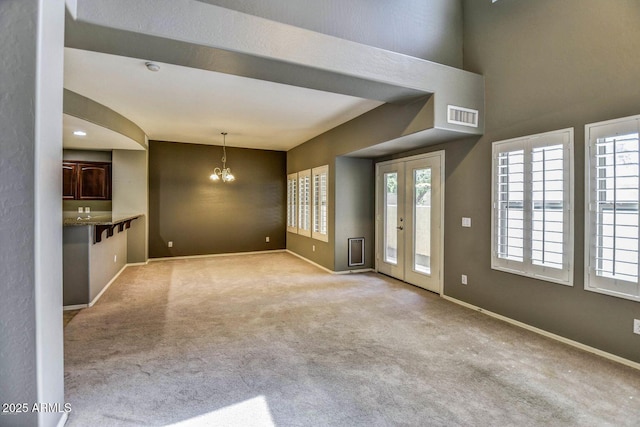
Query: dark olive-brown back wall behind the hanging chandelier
x=205 y=217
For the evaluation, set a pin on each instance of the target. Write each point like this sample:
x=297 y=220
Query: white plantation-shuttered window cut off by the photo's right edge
x=612 y=220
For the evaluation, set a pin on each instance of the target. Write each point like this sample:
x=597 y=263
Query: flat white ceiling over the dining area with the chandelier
x=184 y=104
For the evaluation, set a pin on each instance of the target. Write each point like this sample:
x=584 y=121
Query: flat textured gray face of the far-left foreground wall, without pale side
x=17 y=334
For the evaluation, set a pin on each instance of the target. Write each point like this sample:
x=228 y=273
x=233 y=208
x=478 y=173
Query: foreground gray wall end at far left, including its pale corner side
x=31 y=366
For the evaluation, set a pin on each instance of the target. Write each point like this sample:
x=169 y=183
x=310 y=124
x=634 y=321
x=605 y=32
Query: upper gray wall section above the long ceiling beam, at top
x=429 y=30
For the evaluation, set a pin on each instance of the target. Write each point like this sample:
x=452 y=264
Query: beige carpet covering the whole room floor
x=270 y=340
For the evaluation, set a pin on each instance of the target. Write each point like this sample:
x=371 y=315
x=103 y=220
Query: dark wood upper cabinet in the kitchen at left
x=92 y=180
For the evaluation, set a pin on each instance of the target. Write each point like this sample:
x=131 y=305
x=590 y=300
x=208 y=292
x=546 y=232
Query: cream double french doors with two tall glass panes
x=409 y=202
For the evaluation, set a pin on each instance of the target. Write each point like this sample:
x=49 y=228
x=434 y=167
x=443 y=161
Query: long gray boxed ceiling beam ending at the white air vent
x=200 y=35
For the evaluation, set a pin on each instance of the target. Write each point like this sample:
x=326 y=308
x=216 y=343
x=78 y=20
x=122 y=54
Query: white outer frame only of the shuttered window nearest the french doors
x=527 y=267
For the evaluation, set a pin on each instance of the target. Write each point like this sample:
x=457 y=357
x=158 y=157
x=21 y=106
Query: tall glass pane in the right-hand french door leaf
x=422 y=220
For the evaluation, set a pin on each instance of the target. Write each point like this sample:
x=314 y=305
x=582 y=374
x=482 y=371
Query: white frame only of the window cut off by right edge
x=593 y=282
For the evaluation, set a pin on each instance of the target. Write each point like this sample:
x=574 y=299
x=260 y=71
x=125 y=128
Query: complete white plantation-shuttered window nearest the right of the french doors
x=532 y=225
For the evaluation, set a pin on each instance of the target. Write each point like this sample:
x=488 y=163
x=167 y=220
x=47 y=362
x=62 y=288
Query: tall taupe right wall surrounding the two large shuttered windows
x=548 y=65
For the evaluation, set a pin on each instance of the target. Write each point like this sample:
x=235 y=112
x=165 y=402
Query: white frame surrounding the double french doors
x=378 y=213
